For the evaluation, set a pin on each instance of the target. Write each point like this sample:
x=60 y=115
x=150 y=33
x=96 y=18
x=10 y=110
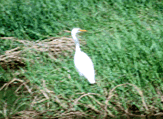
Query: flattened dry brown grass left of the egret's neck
x=53 y=46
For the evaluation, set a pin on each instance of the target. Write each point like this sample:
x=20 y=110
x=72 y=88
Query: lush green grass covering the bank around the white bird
x=124 y=40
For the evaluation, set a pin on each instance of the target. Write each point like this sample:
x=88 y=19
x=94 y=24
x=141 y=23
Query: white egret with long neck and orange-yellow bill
x=83 y=63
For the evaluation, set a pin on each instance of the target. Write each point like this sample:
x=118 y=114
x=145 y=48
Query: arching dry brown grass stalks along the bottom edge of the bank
x=45 y=97
